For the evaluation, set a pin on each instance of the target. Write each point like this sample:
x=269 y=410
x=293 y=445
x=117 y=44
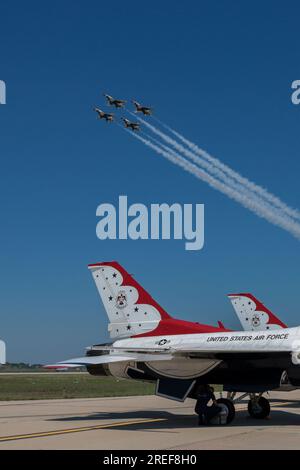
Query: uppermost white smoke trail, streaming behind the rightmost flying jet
x=259 y=190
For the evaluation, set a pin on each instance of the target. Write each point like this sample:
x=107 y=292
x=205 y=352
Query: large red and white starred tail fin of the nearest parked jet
x=130 y=309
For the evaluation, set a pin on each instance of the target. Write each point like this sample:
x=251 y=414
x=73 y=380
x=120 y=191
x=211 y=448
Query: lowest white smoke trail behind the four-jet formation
x=290 y=226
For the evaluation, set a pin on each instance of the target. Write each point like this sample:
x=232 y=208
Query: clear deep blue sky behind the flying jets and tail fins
x=219 y=72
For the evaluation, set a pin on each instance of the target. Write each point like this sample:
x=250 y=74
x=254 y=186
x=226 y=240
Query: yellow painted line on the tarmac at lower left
x=81 y=429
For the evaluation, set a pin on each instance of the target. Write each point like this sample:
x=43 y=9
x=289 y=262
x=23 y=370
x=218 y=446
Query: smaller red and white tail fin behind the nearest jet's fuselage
x=253 y=315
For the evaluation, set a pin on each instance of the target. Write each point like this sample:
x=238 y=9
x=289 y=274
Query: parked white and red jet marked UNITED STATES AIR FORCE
x=149 y=344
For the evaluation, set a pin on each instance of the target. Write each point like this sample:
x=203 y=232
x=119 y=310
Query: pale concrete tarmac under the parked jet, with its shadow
x=146 y=422
